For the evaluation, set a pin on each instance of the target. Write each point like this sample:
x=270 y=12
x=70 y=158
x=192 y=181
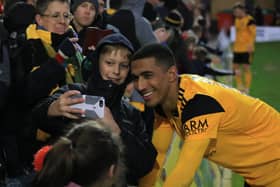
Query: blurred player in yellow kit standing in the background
x=243 y=47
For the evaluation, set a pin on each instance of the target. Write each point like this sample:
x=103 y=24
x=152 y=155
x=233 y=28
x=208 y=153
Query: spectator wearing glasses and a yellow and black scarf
x=52 y=52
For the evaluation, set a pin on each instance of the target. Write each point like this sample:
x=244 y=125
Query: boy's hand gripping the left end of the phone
x=61 y=106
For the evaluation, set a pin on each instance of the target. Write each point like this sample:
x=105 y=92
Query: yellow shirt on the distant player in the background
x=245 y=34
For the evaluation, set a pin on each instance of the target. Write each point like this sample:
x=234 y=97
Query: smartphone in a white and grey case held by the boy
x=93 y=106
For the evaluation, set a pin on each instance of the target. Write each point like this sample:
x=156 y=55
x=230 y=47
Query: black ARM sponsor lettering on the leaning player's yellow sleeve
x=195 y=127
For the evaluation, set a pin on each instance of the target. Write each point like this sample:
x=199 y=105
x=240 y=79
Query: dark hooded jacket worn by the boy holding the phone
x=140 y=154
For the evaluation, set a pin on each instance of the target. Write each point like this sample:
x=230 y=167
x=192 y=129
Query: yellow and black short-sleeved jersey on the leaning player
x=243 y=131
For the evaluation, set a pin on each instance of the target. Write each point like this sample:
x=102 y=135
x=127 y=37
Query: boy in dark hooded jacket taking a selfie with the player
x=109 y=78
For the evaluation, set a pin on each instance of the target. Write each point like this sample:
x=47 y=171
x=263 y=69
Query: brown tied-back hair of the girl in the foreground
x=83 y=156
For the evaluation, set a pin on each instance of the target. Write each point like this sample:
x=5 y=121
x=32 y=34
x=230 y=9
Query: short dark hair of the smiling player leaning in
x=162 y=54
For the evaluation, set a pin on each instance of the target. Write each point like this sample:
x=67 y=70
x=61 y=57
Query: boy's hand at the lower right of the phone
x=109 y=121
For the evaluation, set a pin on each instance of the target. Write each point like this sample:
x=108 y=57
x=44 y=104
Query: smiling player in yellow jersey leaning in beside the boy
x=215 y=122
